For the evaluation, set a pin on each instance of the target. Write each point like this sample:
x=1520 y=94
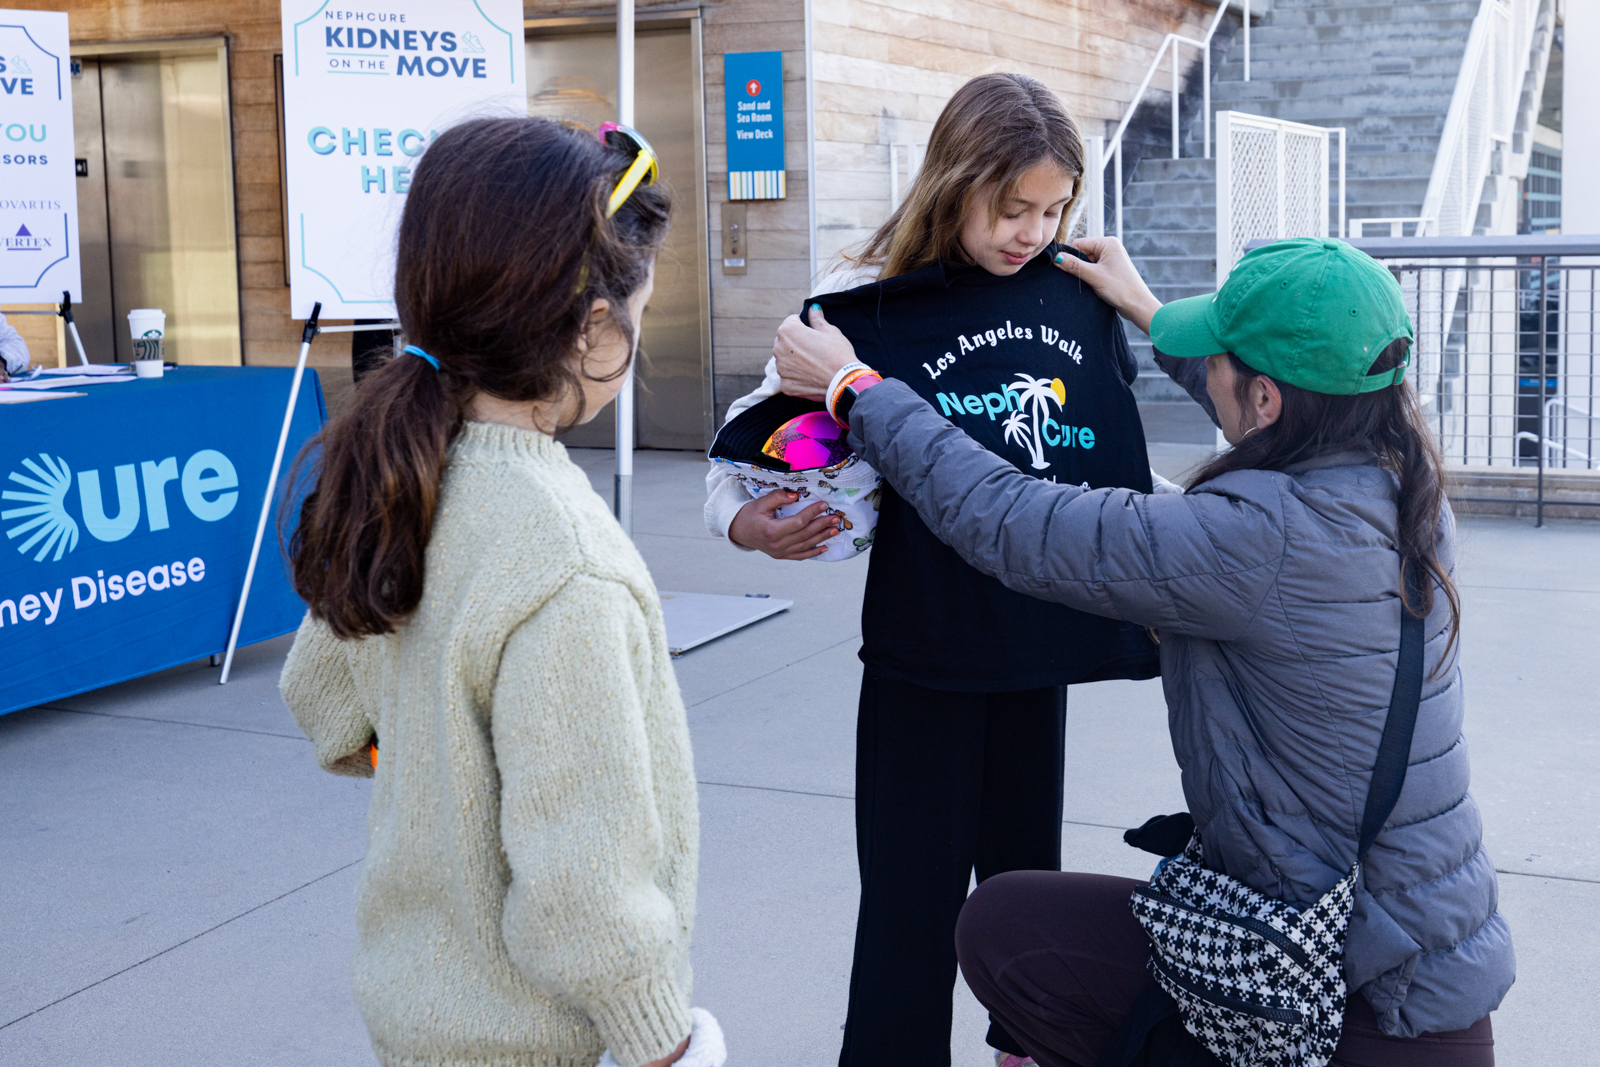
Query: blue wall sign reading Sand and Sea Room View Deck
x=754 y=90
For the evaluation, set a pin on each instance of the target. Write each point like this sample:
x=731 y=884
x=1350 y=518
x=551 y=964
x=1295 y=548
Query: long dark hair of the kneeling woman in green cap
x=1388 y=423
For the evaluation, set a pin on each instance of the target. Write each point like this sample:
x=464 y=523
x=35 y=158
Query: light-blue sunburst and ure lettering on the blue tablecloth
x=39 y=500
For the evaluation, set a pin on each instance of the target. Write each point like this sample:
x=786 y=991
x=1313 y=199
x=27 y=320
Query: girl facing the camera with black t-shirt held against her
x=959 y=746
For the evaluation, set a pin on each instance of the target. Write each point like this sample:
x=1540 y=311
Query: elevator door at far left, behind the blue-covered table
x=156 y=204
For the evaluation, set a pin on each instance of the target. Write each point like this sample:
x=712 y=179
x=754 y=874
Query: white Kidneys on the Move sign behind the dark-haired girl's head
x=366 y=90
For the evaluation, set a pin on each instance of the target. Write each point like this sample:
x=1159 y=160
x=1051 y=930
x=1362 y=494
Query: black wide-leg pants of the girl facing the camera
x=946 y=783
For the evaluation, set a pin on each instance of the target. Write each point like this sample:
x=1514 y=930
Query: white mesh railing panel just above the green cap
x=1271 y=183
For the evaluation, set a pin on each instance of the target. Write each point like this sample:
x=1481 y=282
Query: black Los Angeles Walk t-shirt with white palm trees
x=1036 y=369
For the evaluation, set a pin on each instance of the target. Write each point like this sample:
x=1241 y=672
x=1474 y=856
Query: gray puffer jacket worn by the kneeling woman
x=1278 y=602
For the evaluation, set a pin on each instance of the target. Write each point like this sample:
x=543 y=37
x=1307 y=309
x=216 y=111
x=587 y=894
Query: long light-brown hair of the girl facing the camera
x=996 y=129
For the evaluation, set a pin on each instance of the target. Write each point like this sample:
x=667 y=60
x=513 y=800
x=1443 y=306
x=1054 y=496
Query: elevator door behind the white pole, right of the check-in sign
x=574 y=76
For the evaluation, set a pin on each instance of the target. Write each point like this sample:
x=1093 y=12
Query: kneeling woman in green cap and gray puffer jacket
x=1276 y=588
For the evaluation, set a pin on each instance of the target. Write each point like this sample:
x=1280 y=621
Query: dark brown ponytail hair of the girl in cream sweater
x=503 y=250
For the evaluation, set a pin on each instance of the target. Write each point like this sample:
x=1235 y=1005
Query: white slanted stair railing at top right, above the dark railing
x=1482 y=114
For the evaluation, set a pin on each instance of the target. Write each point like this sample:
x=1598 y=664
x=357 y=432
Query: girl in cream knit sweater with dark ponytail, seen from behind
x=479 y=617
